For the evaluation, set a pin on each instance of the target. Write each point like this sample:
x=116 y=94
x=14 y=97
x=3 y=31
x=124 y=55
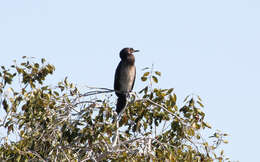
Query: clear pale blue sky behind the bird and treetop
x=210 y=48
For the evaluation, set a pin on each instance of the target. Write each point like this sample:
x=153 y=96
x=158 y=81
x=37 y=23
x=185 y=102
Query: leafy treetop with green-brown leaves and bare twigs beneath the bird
x=65 y=123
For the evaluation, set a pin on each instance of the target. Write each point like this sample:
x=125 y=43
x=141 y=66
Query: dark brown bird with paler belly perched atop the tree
x=124 y=77
